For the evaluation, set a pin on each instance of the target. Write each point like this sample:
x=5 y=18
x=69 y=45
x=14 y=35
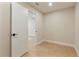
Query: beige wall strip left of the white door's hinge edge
x=4 y=29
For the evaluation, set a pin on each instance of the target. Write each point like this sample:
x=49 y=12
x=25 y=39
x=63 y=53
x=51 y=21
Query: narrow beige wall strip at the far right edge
x=77 y=28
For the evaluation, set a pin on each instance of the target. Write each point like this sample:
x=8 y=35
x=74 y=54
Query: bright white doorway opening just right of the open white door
x=32 y=30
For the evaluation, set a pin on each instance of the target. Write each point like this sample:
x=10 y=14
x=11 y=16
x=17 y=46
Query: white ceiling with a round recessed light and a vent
x=45 y=8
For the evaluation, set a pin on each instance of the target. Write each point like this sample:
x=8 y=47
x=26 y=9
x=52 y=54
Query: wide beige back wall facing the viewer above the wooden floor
x=59 y=26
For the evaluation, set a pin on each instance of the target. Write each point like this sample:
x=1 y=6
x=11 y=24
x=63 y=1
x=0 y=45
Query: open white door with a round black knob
x=19 y=30
